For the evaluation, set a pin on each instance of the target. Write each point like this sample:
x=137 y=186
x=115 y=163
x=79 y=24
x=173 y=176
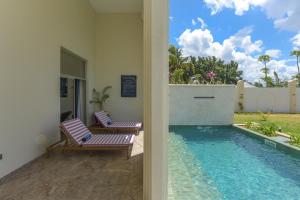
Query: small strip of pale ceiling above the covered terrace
x=117 y=6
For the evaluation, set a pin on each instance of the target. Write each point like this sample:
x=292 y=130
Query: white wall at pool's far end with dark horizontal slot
x=186 y=110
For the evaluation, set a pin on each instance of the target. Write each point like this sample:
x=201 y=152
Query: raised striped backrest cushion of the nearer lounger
x=75 y=129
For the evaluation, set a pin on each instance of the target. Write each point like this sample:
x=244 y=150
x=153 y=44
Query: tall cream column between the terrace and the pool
x=156 y=101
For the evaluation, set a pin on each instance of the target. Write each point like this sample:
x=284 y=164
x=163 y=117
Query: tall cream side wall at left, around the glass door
x=31 y=35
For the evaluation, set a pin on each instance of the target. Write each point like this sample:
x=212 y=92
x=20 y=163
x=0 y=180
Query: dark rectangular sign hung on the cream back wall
x=128 y=85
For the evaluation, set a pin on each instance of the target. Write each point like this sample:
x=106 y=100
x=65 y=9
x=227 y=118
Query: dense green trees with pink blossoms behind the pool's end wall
x=202 y=70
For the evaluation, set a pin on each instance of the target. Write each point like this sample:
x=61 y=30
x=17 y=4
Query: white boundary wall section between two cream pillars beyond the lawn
x=274 y=100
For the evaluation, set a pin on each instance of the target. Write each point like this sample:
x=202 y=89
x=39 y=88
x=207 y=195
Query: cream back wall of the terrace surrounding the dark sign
x=120 y=52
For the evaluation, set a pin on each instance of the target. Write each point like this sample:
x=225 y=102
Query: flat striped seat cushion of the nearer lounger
x=110 y=140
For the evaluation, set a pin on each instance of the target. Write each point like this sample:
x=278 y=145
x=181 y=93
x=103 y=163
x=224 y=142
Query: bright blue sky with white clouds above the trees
x=238 y=30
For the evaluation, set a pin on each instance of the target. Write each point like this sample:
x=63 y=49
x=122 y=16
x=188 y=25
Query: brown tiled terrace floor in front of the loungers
x=79 y=176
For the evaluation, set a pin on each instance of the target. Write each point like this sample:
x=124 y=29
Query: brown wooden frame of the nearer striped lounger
x=66 y=144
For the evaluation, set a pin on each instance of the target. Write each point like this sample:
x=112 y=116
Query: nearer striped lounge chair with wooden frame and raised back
x=74 y=131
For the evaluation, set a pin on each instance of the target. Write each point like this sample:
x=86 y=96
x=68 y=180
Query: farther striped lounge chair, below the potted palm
x=104 y=121
